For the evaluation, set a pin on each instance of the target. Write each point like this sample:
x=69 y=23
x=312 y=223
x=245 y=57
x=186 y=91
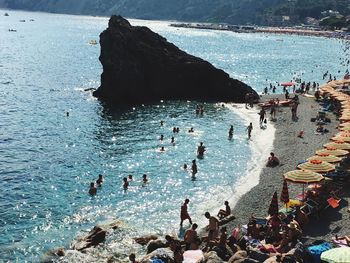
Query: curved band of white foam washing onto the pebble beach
x=261 y=144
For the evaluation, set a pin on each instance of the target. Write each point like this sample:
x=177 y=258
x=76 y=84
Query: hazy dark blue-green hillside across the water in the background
x=267 y=12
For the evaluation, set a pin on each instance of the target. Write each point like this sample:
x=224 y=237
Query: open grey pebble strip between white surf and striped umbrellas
x=290 y=150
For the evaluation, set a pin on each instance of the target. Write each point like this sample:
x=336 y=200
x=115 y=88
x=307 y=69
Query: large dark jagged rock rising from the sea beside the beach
x=141 y=66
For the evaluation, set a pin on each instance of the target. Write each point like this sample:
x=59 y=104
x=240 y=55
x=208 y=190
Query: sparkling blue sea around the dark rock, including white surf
x=48 y=159
